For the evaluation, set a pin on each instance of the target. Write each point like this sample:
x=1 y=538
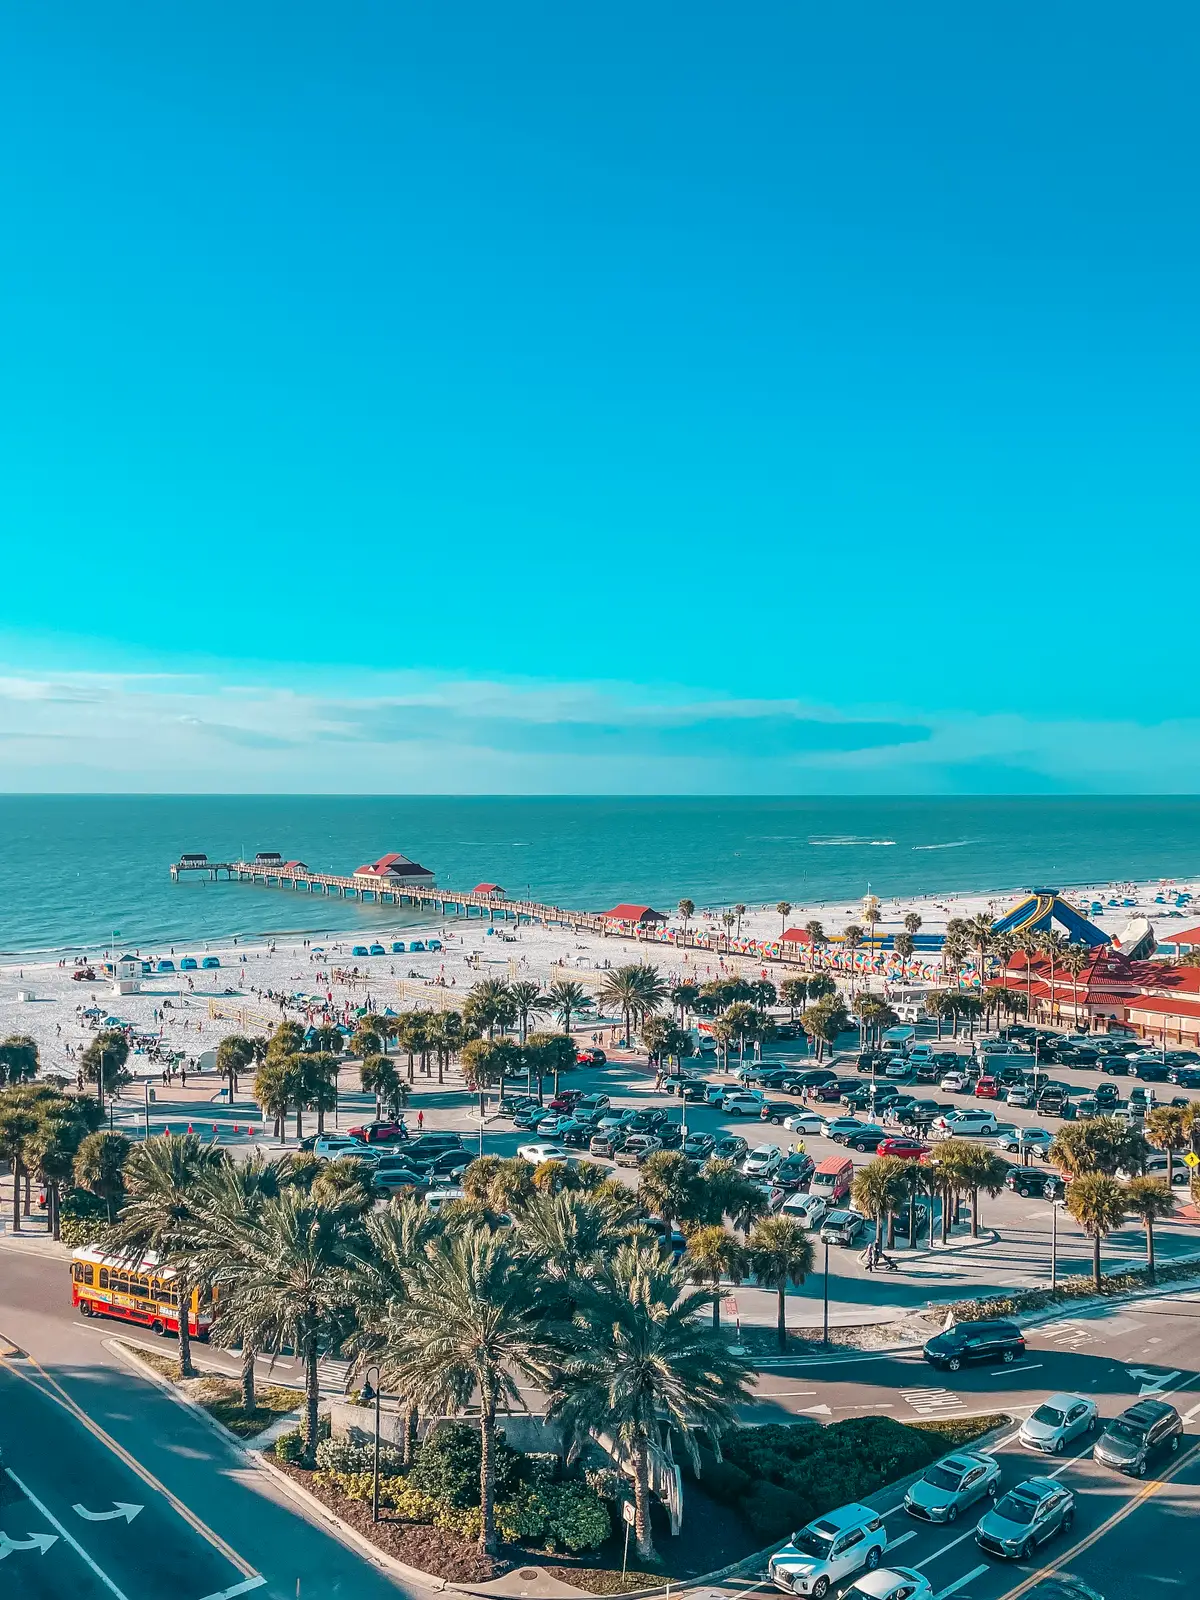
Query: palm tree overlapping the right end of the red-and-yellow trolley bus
x=164 y=1183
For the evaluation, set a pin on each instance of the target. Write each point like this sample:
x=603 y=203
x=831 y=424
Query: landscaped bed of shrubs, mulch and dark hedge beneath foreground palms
x=769 y=1482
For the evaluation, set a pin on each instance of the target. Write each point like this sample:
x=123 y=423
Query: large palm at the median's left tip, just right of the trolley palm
x=297 y=1274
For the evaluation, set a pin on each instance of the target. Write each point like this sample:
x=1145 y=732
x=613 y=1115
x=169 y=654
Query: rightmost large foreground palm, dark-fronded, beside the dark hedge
x=638 y=1361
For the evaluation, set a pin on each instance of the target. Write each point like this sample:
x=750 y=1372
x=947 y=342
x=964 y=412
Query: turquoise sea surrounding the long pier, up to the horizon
x=74 y=868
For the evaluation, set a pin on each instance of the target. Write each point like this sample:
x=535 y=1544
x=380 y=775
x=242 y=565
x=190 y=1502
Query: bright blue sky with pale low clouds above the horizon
x=774 y=399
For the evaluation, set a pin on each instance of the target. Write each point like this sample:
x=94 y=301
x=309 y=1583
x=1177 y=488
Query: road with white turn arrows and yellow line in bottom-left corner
x=82 y=1434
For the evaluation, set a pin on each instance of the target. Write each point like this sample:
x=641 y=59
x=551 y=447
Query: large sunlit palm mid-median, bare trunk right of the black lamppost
x=470 y=1327
